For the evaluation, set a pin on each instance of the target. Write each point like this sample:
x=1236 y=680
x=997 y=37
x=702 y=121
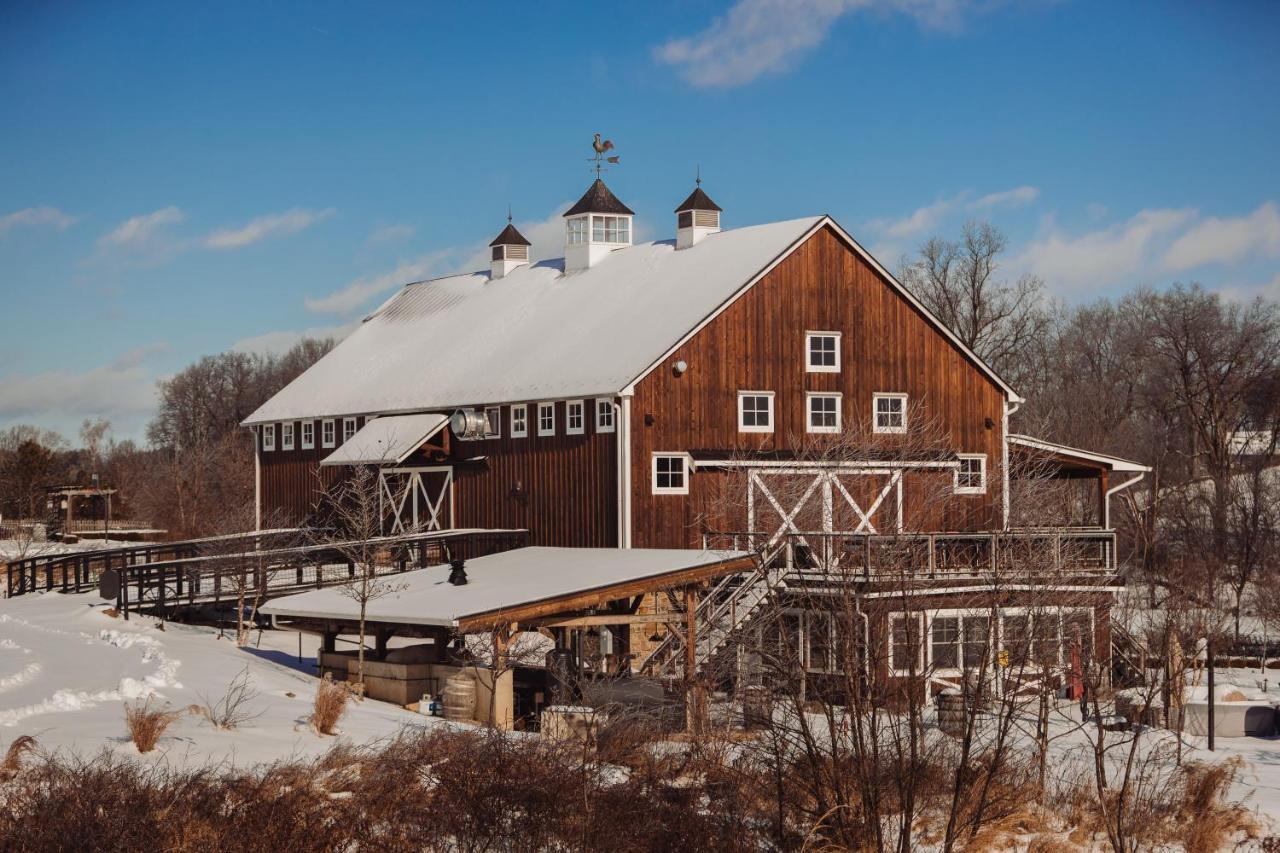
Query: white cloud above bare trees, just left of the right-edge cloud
x=1101 y=258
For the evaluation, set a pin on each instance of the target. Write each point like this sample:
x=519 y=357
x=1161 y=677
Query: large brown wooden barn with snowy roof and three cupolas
x=771 y=389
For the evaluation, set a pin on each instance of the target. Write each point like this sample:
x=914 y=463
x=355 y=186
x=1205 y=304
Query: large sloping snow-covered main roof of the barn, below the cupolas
x=537 y=334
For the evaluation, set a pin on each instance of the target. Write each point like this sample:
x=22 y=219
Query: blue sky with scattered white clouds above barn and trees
x=177 y=180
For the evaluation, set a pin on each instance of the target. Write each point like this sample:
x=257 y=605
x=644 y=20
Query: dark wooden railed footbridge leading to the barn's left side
x=243 y=568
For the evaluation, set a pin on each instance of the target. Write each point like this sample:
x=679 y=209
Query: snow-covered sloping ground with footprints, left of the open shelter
x=67 y=670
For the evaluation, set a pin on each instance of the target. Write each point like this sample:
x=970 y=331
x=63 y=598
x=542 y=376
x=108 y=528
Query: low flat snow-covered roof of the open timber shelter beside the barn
x=499 y=582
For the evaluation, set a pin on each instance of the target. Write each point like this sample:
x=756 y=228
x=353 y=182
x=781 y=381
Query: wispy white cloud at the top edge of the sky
x=767 y=37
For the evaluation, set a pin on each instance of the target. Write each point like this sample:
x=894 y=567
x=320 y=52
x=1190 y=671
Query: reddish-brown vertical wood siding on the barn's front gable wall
x=758 y=344
